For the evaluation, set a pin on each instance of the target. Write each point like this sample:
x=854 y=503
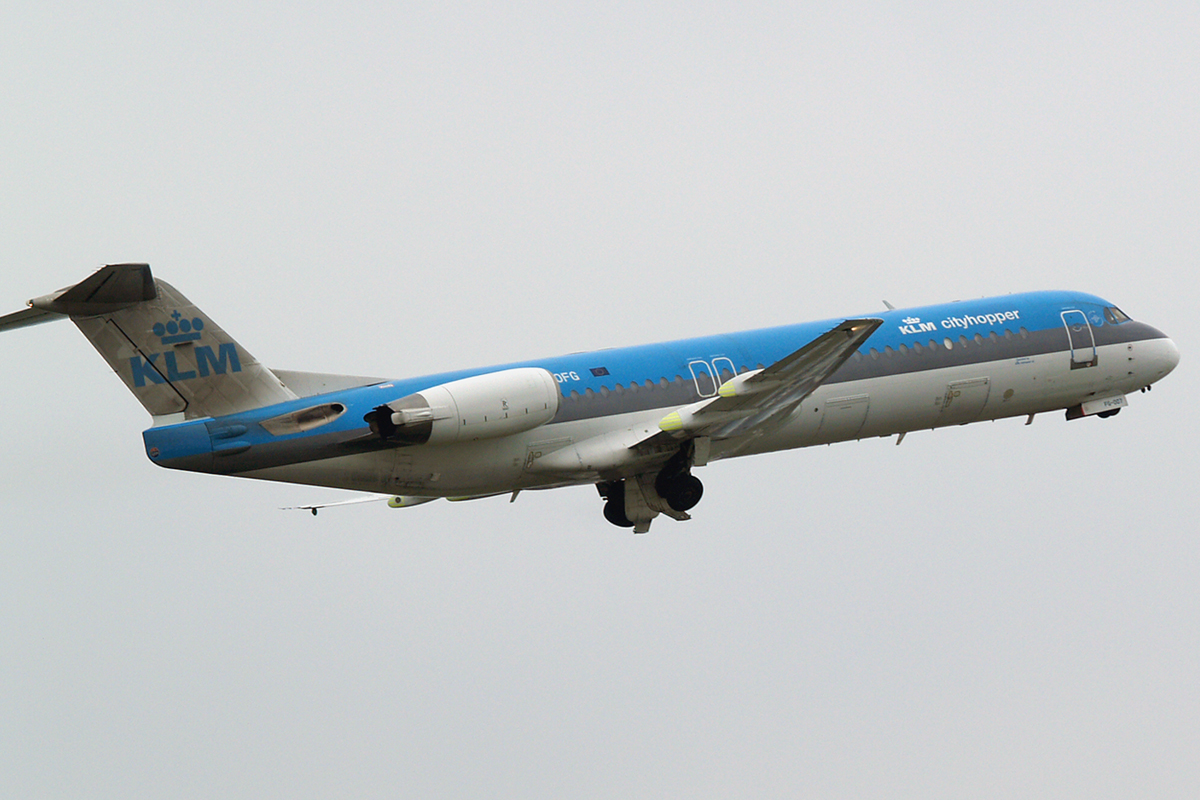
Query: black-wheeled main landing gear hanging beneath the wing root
x=634 y=502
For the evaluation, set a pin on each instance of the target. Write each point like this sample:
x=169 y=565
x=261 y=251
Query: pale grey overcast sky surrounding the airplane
x=397 y=189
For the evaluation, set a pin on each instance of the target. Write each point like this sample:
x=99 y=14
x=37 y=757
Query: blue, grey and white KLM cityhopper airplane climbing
x=633 y=422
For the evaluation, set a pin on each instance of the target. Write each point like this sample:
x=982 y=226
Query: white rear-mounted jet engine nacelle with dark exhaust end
x=482 y=407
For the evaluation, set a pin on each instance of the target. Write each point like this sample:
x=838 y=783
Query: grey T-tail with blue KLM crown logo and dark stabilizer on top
x=171 y=356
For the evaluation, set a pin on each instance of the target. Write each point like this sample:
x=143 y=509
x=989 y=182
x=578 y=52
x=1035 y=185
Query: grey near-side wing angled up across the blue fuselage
x=757 y=401
